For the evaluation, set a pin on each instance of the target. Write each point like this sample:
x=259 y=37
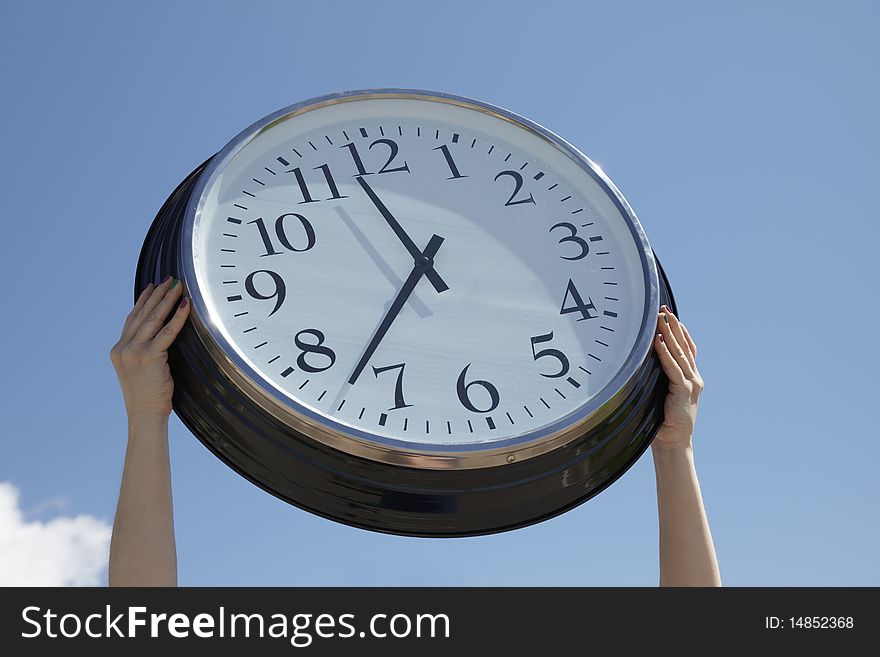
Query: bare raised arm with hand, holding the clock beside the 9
x=142 y=548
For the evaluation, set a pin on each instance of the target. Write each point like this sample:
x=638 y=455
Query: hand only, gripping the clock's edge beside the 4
x=677 y=353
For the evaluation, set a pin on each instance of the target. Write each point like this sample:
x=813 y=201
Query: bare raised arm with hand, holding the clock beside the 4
x=687 y=553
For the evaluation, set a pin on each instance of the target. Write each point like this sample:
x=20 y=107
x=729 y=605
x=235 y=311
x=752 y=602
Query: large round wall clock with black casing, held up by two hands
x=413 y=312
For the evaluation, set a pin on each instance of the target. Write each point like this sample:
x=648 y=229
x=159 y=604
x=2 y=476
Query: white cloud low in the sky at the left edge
x=60 y=552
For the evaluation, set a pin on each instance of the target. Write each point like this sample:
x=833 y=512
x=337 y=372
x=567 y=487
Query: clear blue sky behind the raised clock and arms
x=743 y=134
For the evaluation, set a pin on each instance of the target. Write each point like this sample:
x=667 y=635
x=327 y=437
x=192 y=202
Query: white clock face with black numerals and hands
x=409 y=270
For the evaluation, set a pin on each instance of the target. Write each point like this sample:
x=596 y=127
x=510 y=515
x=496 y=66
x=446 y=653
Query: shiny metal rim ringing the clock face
x=383 y=449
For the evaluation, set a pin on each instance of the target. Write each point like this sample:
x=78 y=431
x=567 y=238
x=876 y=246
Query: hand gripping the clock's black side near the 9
x=140 y=358
